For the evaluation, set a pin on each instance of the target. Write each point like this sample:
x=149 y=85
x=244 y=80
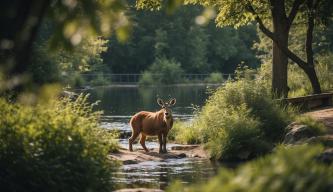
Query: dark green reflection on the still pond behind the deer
x=128 y=100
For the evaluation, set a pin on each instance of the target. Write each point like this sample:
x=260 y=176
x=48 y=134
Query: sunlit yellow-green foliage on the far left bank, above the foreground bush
x=65 y=66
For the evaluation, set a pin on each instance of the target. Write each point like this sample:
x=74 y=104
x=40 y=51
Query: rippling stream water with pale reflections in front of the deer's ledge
x=159 y=174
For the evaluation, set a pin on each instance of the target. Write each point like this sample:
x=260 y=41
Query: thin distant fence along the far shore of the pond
x=128 y=78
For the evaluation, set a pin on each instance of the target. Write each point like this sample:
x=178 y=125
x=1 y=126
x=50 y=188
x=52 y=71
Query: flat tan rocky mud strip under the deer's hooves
x=176 y=152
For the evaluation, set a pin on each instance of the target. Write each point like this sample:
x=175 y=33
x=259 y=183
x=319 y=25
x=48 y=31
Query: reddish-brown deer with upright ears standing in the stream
x=152 y=124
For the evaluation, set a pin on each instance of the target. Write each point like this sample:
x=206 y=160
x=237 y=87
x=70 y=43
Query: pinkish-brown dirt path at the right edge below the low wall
x=325 y=116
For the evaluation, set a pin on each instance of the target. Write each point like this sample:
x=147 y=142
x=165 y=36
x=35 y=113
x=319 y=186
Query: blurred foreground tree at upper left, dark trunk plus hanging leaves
x=72 y=20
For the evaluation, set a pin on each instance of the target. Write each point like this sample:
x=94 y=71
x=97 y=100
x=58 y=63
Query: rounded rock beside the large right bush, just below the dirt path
x=297 y=132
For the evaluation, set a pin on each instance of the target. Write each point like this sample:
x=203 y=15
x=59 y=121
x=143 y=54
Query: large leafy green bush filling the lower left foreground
x=55 y=146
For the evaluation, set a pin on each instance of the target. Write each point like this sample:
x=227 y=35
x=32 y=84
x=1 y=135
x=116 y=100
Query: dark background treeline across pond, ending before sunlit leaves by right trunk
x=158 y=39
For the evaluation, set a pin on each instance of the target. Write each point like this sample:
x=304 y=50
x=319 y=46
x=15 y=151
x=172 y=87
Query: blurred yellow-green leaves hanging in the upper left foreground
x=75 y=21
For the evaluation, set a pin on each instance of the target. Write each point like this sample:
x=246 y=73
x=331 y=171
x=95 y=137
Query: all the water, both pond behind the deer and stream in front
x=119 y=103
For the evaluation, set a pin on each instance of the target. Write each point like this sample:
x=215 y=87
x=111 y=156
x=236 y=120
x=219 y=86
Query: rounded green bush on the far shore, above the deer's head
x=163 y=71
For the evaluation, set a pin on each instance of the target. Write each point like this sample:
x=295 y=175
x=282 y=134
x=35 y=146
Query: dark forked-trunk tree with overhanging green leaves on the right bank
x=238 y=13
